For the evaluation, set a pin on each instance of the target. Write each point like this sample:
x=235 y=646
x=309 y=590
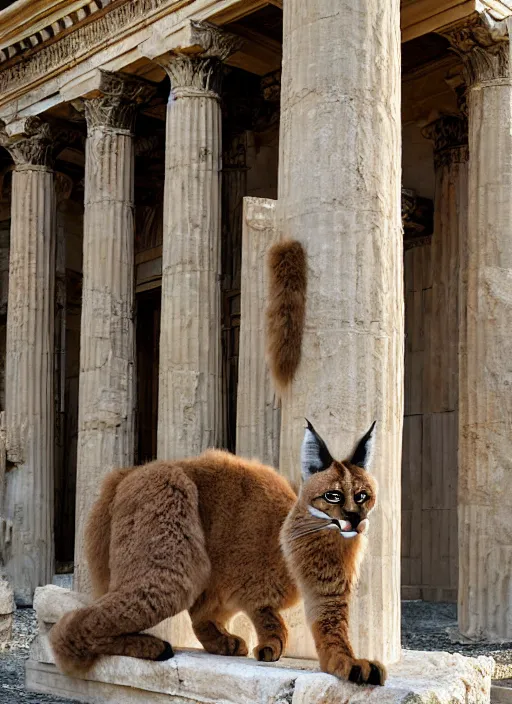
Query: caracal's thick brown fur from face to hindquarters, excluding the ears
x=205 y=535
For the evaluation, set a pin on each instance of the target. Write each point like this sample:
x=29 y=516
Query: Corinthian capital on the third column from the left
x=196 y=67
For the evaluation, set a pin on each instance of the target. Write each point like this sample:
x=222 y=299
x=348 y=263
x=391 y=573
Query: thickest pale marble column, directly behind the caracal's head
x=339 y=195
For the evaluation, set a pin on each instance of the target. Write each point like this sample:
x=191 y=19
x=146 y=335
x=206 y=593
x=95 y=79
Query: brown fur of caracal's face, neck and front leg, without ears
x=325 y=566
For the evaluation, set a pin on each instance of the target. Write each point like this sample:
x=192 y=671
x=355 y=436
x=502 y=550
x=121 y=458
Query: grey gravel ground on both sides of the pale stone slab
x=425 y=626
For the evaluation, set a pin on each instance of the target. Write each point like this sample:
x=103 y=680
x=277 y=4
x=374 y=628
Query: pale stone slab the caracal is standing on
x=195 y=676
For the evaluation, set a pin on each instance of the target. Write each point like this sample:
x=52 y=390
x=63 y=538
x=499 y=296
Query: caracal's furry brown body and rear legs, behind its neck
x=199 y=534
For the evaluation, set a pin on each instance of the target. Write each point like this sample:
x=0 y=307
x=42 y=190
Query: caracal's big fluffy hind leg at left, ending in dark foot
x=158 y=566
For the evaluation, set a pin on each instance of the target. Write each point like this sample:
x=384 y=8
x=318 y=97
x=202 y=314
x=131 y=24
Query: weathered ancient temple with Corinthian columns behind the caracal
x=151 y=153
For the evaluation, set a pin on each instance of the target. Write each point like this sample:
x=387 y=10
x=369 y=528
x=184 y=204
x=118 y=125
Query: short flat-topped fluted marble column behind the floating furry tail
x=258 y=412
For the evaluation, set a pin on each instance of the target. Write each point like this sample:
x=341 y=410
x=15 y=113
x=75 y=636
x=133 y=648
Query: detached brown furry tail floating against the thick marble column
x=286 y=309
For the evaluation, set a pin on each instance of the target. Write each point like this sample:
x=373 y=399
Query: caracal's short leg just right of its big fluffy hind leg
x=208 y=621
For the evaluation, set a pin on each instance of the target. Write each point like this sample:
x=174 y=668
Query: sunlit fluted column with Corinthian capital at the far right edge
x=485 y=343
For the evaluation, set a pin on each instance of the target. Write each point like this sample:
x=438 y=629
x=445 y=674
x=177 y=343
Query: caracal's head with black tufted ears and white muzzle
x=339 y=495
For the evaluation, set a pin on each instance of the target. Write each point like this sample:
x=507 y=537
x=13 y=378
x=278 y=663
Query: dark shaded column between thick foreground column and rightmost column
x=441 y=366
